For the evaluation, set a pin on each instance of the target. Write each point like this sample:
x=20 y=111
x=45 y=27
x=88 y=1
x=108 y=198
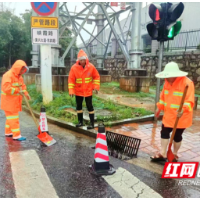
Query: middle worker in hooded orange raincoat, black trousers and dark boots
x=83 y=79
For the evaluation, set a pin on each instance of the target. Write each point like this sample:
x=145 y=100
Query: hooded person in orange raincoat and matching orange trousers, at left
x=12 y=88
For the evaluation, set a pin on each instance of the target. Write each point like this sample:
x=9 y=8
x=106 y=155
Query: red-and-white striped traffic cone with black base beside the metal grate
x=101 y=164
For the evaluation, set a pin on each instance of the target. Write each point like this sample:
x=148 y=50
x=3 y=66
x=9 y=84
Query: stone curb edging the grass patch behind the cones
x=83 y=130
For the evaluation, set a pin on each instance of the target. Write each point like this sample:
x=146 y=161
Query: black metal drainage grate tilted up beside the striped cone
x=120 y=145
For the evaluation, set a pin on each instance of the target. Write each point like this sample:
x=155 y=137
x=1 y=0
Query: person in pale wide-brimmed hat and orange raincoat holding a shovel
x=170 y=99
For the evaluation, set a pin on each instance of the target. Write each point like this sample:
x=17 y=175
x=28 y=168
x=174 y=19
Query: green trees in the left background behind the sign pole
x=15 y=39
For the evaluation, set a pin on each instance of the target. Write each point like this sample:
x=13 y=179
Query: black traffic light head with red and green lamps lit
x=165 y=26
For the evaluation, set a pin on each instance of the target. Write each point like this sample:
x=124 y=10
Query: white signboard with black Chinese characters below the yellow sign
x=44 y=36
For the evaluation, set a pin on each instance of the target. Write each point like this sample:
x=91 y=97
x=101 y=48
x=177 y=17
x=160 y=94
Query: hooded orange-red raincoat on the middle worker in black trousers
x=82 y=81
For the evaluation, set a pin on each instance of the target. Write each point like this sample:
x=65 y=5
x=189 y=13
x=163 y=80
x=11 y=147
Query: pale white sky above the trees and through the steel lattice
x=20 y=7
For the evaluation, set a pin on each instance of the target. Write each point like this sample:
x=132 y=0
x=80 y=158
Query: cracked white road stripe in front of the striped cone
x=128 y=186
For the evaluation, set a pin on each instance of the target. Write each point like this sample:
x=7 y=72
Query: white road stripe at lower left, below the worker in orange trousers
x=30 y=177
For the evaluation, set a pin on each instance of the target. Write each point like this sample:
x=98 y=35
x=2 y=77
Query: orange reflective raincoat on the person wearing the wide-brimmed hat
x=170 y=100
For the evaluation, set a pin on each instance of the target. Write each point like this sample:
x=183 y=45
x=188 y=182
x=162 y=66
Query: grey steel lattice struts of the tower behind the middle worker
x=71 y=21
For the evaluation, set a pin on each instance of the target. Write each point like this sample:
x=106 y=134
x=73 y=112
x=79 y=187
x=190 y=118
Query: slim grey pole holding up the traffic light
x=160 y=59
